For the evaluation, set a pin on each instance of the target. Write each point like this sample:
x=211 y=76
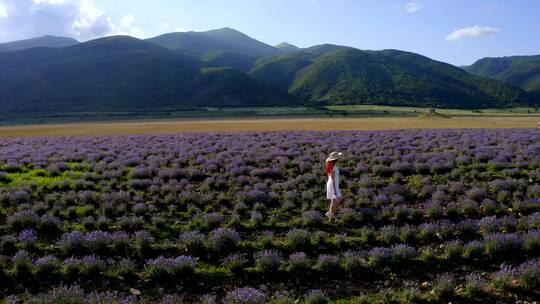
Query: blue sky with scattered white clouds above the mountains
x=454 y=31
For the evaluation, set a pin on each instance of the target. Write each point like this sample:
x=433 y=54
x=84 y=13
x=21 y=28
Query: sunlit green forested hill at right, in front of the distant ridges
x=383 y=77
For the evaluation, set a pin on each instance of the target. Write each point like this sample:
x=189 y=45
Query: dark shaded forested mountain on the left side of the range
x=120 y=73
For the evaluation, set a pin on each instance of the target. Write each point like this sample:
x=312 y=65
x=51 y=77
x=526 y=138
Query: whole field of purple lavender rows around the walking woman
x=429 y=216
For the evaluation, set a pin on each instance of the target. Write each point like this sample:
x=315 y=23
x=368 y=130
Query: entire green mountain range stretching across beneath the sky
x=228 y=68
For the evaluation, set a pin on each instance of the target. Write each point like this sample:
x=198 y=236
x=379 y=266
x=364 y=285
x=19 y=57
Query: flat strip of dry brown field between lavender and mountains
x=278 y=124
